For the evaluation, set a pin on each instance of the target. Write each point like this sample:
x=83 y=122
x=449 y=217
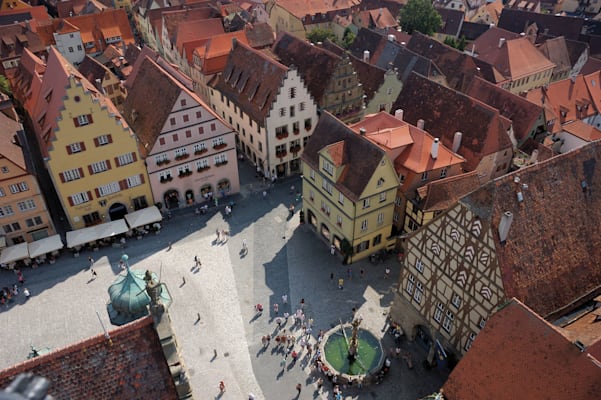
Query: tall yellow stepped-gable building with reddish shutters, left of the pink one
x=89 y=150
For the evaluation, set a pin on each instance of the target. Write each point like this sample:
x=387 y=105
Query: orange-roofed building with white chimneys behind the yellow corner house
x=418 y=158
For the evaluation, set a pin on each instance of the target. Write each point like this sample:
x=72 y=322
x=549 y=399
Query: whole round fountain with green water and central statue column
x=351 y=353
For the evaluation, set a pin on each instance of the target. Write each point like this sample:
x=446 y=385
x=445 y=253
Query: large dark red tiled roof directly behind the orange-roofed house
x=484 y=129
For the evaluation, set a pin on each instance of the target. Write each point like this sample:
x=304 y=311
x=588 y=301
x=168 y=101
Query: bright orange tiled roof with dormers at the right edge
x=563 y=101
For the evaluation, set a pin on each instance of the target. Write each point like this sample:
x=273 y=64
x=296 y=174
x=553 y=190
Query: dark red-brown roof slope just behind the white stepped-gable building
x=315 y=64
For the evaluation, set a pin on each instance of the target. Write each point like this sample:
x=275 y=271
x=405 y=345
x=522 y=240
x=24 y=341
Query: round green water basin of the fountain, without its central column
x=369 y=357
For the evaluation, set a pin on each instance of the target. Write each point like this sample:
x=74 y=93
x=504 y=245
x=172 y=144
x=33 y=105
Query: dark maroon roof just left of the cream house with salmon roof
x=459 y=68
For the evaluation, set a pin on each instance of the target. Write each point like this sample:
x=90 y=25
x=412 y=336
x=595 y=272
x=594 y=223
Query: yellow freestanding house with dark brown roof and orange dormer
x=348 y=190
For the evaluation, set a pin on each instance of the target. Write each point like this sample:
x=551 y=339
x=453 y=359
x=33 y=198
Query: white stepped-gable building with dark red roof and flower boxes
x=269 y=106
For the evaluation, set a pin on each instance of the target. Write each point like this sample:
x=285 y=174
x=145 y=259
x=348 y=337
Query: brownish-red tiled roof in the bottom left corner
x=130 y=366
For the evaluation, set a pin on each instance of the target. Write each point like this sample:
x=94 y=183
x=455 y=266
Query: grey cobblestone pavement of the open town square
x=283 y=258
